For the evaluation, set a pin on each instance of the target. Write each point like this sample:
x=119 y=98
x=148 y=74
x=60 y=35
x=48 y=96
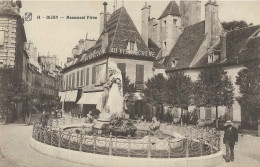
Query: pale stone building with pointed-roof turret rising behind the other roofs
x=165 y=30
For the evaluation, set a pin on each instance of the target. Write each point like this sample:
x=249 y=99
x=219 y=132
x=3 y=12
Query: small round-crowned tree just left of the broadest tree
x=179 y=91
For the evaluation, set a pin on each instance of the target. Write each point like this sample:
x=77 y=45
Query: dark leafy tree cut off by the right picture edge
x=248 y=81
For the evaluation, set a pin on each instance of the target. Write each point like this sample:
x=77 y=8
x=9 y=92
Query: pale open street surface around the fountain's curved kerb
x=18 y=153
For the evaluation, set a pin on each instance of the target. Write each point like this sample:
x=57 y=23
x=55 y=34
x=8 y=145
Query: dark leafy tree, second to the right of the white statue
x=154 y=92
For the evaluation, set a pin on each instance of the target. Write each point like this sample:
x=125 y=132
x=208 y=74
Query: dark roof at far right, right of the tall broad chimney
x=239 y=44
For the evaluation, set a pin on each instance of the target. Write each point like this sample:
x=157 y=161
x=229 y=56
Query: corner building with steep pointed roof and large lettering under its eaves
x=119 y=43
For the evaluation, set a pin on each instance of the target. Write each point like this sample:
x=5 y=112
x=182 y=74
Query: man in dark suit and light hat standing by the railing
x=230 y=137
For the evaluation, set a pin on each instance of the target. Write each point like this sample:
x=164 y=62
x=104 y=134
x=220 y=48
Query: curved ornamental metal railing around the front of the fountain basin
x=149 y=146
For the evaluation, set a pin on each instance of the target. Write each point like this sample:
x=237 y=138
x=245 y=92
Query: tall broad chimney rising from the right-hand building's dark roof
x=213 y=26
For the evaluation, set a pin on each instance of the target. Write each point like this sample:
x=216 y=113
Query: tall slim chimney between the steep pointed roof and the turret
x=145 y=23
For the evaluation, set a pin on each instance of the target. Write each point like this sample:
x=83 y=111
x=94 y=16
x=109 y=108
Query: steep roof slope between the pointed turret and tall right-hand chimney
x=187 y=46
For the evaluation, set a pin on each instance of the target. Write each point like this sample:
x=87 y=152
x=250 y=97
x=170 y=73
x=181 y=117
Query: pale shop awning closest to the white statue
x=90 y=98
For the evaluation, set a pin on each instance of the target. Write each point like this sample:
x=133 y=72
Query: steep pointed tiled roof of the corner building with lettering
x=121 y=30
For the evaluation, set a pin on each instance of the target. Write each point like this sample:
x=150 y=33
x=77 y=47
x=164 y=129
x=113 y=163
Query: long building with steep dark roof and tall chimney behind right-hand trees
x=206 y=44
